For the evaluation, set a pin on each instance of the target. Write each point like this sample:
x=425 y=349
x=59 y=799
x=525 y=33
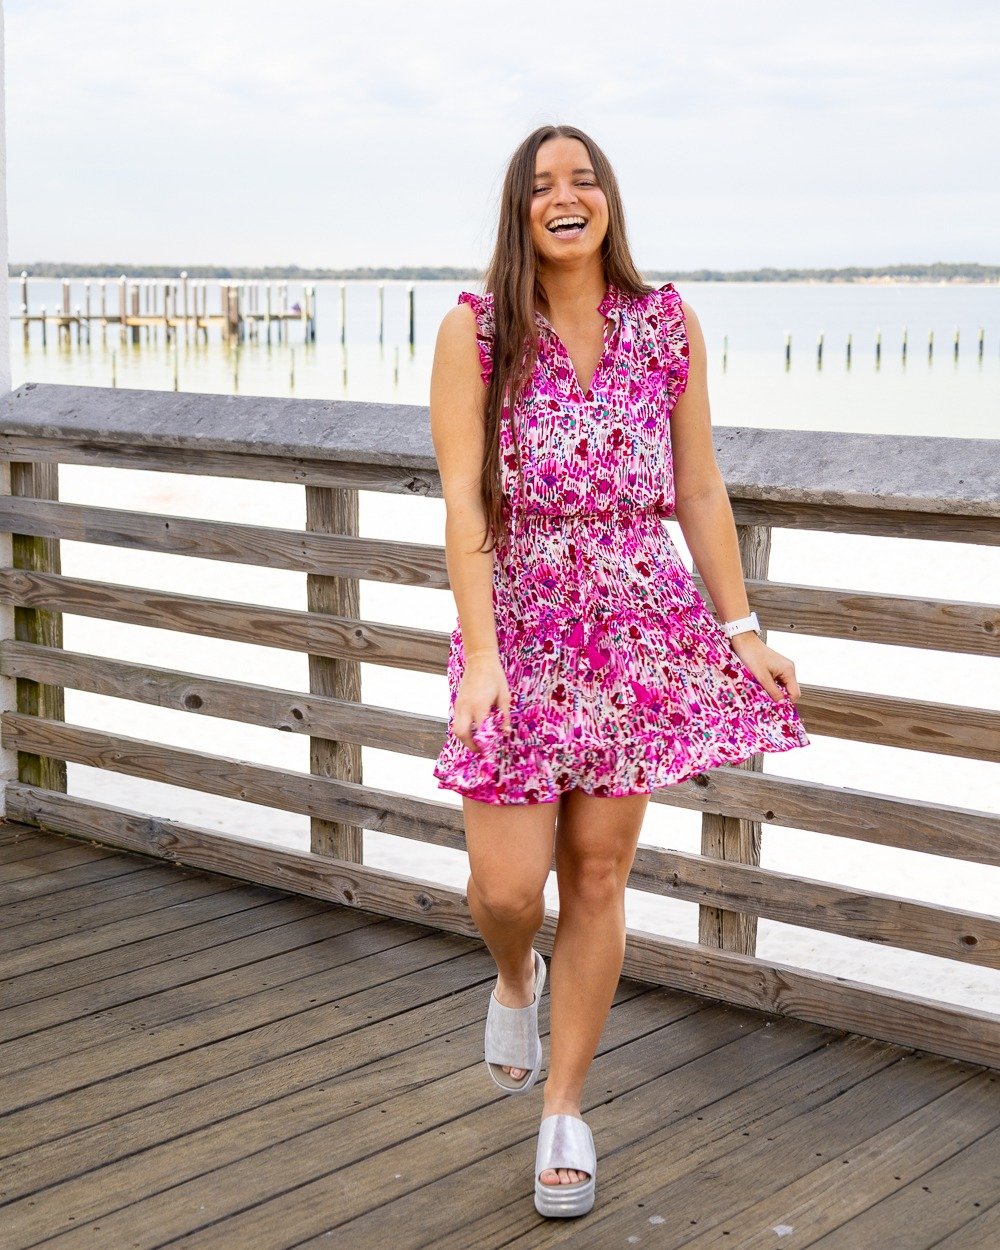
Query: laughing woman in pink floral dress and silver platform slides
x=586 y=671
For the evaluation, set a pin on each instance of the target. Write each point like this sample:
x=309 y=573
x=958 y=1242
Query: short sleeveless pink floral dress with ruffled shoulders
x=622 y=679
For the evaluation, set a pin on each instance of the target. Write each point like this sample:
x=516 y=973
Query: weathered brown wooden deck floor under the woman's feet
x=193 y=1061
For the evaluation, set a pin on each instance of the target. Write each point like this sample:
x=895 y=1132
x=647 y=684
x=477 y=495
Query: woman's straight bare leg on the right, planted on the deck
x=596 y=848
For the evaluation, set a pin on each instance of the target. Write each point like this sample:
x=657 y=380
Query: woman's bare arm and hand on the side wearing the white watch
x=706 y=517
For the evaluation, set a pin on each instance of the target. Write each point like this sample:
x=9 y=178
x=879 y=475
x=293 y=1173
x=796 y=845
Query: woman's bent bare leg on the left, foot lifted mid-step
x=511 y=856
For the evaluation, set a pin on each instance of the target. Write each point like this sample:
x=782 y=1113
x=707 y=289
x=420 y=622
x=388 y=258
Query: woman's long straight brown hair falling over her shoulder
x=512 y=278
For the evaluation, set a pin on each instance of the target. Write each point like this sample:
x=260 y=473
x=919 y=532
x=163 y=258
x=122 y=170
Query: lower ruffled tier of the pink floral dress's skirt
x=616 y=708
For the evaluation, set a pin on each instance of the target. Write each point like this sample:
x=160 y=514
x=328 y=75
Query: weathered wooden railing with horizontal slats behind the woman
x=914 y=488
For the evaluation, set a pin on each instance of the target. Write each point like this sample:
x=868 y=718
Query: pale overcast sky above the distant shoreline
x=376 y=133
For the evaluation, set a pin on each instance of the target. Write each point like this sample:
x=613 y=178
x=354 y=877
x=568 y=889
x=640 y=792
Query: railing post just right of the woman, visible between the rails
x=727 y=838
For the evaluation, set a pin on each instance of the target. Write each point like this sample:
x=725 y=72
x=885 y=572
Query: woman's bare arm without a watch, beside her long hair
x=458 y=403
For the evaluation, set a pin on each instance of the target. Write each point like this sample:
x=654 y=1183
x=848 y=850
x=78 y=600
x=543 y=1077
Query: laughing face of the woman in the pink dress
x=567 y=187
